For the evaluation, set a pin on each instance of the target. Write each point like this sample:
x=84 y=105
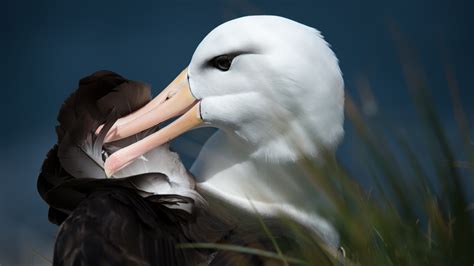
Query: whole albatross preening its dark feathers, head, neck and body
x=273 y=89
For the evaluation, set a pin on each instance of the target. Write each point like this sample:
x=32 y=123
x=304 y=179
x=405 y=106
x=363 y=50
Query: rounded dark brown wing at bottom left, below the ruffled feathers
x=118 y=227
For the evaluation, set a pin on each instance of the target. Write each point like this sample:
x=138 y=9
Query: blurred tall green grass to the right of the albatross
x=420 y=214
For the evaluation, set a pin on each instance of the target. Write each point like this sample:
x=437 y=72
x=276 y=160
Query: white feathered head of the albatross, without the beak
x=283 y=93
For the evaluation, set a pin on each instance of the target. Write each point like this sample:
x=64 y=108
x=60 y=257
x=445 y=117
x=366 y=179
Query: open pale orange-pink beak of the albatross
x=173 y=101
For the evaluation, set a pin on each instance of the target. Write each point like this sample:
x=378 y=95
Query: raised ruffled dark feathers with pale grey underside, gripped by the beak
x=73 y=169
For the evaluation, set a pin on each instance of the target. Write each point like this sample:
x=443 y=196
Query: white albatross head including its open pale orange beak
x=269 y=81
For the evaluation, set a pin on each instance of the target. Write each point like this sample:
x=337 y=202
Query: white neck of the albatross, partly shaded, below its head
x=225 y=171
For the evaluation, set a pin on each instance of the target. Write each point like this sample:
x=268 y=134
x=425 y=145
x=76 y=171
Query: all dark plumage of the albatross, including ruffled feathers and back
x=139 y=216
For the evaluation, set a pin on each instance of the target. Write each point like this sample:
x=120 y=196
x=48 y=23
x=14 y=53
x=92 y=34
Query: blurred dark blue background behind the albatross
x=48 y=45
